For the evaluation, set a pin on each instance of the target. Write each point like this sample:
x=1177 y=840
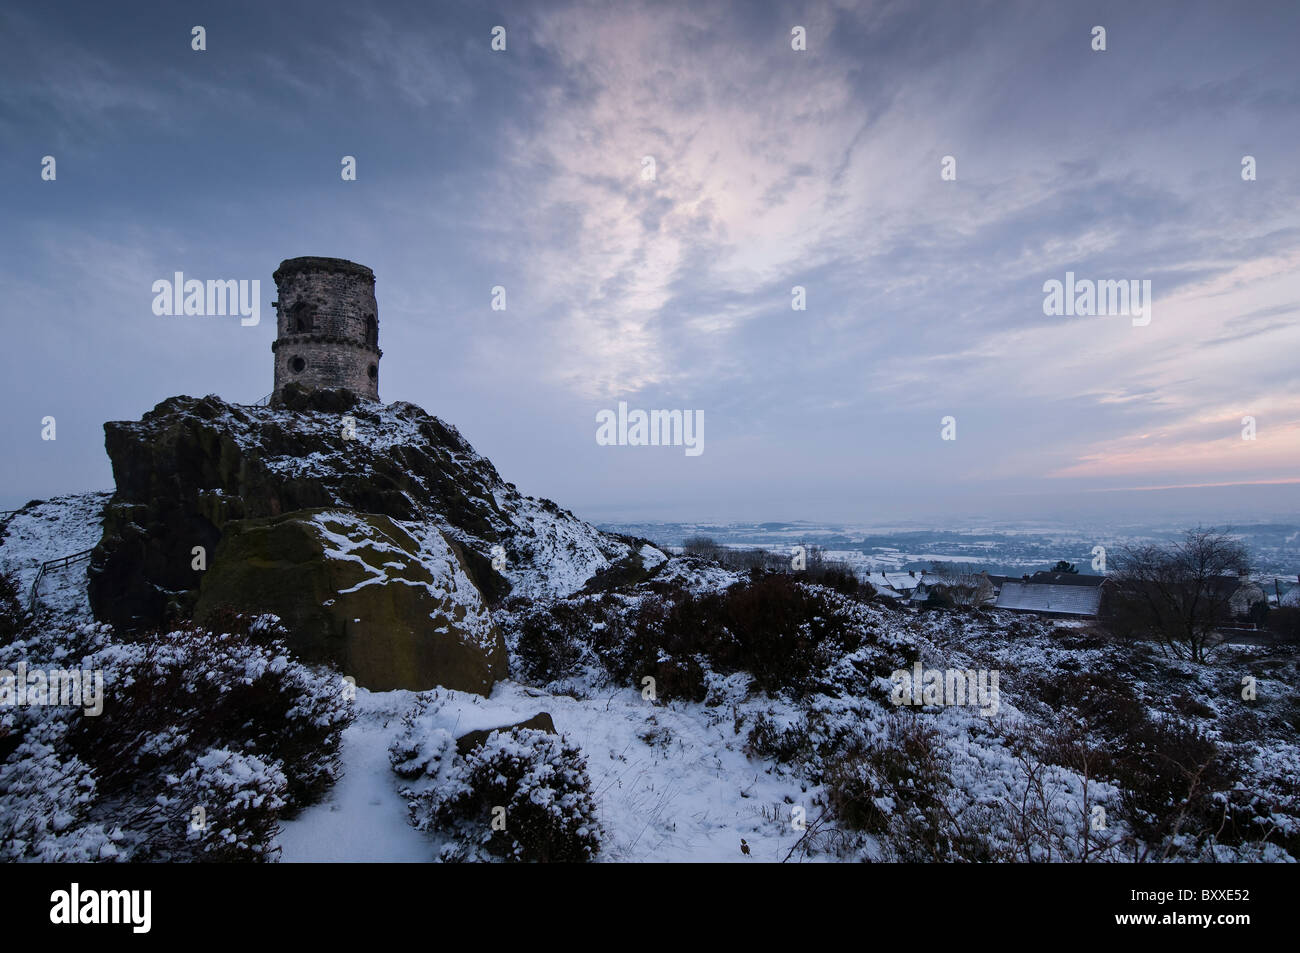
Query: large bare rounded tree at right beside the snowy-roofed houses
x=1178 y=595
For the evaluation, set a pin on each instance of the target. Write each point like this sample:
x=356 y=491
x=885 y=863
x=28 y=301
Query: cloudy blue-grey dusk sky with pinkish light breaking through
x=773 y=168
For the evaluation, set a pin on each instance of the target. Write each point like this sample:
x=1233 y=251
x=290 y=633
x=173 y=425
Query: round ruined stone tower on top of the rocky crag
x=327 y=327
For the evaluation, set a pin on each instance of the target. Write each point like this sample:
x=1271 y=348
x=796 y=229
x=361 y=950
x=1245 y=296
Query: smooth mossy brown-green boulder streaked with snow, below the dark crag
x=388 y=603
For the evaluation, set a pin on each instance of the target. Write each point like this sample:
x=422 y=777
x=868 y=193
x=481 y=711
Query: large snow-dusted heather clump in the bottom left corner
x=205 y=740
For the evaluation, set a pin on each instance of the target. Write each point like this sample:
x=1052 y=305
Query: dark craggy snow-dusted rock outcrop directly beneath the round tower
x=193 y=466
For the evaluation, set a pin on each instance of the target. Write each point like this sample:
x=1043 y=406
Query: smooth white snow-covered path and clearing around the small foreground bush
x=670 y=785
